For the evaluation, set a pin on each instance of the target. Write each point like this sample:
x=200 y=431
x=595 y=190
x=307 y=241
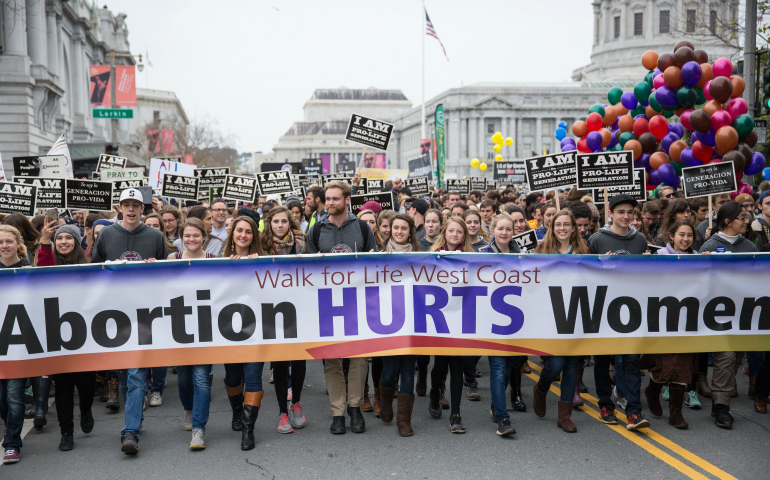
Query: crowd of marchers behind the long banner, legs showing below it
x=443 y=221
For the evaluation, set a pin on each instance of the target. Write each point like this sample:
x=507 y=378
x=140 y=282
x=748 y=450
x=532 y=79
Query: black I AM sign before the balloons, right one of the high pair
x=605 y=170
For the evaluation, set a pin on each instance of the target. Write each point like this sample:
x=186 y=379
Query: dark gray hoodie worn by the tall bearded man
x=348 y=238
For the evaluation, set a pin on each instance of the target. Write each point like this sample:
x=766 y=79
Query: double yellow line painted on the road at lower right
x=674 y=447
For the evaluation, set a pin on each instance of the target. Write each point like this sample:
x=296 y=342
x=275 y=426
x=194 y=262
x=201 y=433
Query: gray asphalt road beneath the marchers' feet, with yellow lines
x=538 y=450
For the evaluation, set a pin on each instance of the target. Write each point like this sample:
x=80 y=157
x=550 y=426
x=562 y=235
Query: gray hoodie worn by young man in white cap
x=117 y=243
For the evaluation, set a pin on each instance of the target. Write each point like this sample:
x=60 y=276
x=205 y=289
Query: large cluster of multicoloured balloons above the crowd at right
x=705 y=97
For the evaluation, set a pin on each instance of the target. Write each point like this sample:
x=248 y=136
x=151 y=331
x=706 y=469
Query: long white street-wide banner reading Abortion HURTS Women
x=374 y=304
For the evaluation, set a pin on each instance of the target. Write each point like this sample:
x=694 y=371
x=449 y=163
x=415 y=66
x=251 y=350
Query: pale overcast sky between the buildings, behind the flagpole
x=251 y=65
